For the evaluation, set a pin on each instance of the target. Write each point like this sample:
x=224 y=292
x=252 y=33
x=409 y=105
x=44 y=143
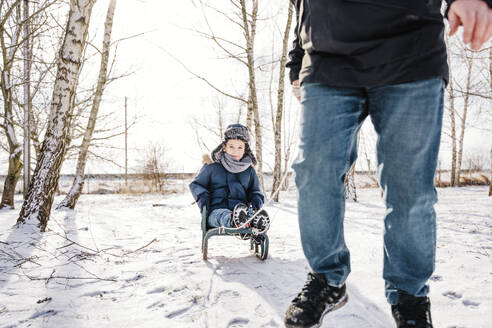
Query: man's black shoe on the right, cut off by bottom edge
x=412 y=312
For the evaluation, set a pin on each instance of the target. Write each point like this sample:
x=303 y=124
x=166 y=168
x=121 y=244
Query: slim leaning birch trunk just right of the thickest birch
x=78 y=183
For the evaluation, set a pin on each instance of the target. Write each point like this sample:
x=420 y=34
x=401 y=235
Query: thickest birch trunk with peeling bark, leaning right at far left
x=37 y=205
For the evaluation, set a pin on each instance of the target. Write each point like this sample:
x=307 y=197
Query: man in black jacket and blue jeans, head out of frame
x=385 y=59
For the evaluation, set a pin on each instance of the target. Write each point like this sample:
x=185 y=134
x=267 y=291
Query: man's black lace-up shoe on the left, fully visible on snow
x=316 y=299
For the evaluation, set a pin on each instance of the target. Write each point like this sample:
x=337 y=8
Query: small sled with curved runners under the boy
x=260 y=250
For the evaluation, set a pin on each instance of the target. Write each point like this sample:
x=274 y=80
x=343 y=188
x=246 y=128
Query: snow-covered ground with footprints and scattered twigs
x=117 y=261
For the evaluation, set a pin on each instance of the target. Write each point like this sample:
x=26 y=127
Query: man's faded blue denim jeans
x=407 y=118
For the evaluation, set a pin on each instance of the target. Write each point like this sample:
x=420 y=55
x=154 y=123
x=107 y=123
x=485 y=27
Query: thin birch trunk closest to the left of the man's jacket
x=277 y=129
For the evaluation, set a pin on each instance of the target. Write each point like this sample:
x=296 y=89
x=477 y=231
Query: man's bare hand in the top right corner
x=476 y=18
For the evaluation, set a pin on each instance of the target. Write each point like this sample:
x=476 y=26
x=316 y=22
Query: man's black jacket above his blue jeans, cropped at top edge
x=368 y=43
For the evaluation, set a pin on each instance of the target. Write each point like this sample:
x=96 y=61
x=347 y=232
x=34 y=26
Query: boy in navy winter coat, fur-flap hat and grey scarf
x=230 y=182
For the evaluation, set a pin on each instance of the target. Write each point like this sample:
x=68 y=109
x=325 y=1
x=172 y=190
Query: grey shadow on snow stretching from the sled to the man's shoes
x=277 y=281
